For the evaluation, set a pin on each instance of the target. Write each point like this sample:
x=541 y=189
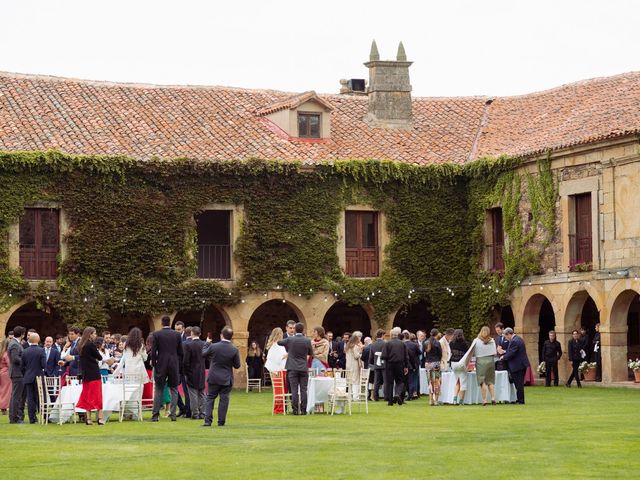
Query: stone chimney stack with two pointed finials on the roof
x=389 y=90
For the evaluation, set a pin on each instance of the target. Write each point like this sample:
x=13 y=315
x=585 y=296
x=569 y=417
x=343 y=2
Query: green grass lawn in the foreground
x=560 y=433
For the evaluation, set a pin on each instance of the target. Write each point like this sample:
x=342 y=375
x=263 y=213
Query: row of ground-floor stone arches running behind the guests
x=534 y=310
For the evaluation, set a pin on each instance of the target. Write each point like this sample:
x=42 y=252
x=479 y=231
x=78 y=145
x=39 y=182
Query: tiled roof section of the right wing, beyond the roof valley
x=574 y=114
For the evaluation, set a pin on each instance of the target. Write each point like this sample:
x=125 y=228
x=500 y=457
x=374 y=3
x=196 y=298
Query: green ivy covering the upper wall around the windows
x=131 y=242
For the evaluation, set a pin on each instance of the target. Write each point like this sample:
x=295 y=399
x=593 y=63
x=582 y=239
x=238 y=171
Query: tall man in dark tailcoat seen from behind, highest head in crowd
x=166 y=360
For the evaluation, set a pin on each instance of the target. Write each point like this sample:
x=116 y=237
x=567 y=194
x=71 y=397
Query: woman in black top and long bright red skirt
x=90 y=358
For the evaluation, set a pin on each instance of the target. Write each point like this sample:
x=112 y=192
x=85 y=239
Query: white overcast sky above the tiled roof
x=470 y=47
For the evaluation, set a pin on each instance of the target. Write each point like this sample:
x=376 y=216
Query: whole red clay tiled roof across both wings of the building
x=215 y=123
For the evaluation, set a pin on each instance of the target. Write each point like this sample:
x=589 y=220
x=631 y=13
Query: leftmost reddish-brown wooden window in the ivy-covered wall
x=39 y=243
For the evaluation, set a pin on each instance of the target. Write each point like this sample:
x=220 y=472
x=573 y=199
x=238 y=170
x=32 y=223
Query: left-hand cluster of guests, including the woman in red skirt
x=171 y=357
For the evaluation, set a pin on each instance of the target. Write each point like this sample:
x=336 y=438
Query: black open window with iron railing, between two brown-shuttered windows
x=214 y=244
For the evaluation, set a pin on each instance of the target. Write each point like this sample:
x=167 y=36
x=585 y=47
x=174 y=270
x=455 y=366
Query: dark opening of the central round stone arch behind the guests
x=269 y=315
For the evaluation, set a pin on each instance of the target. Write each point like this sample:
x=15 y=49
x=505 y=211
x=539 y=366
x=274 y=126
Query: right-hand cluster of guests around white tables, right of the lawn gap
x=394 y=364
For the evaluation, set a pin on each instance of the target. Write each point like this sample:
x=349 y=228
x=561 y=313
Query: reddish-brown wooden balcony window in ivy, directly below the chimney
x=361 y=242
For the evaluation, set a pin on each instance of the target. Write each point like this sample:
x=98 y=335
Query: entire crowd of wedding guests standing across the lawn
x=179 y=357
